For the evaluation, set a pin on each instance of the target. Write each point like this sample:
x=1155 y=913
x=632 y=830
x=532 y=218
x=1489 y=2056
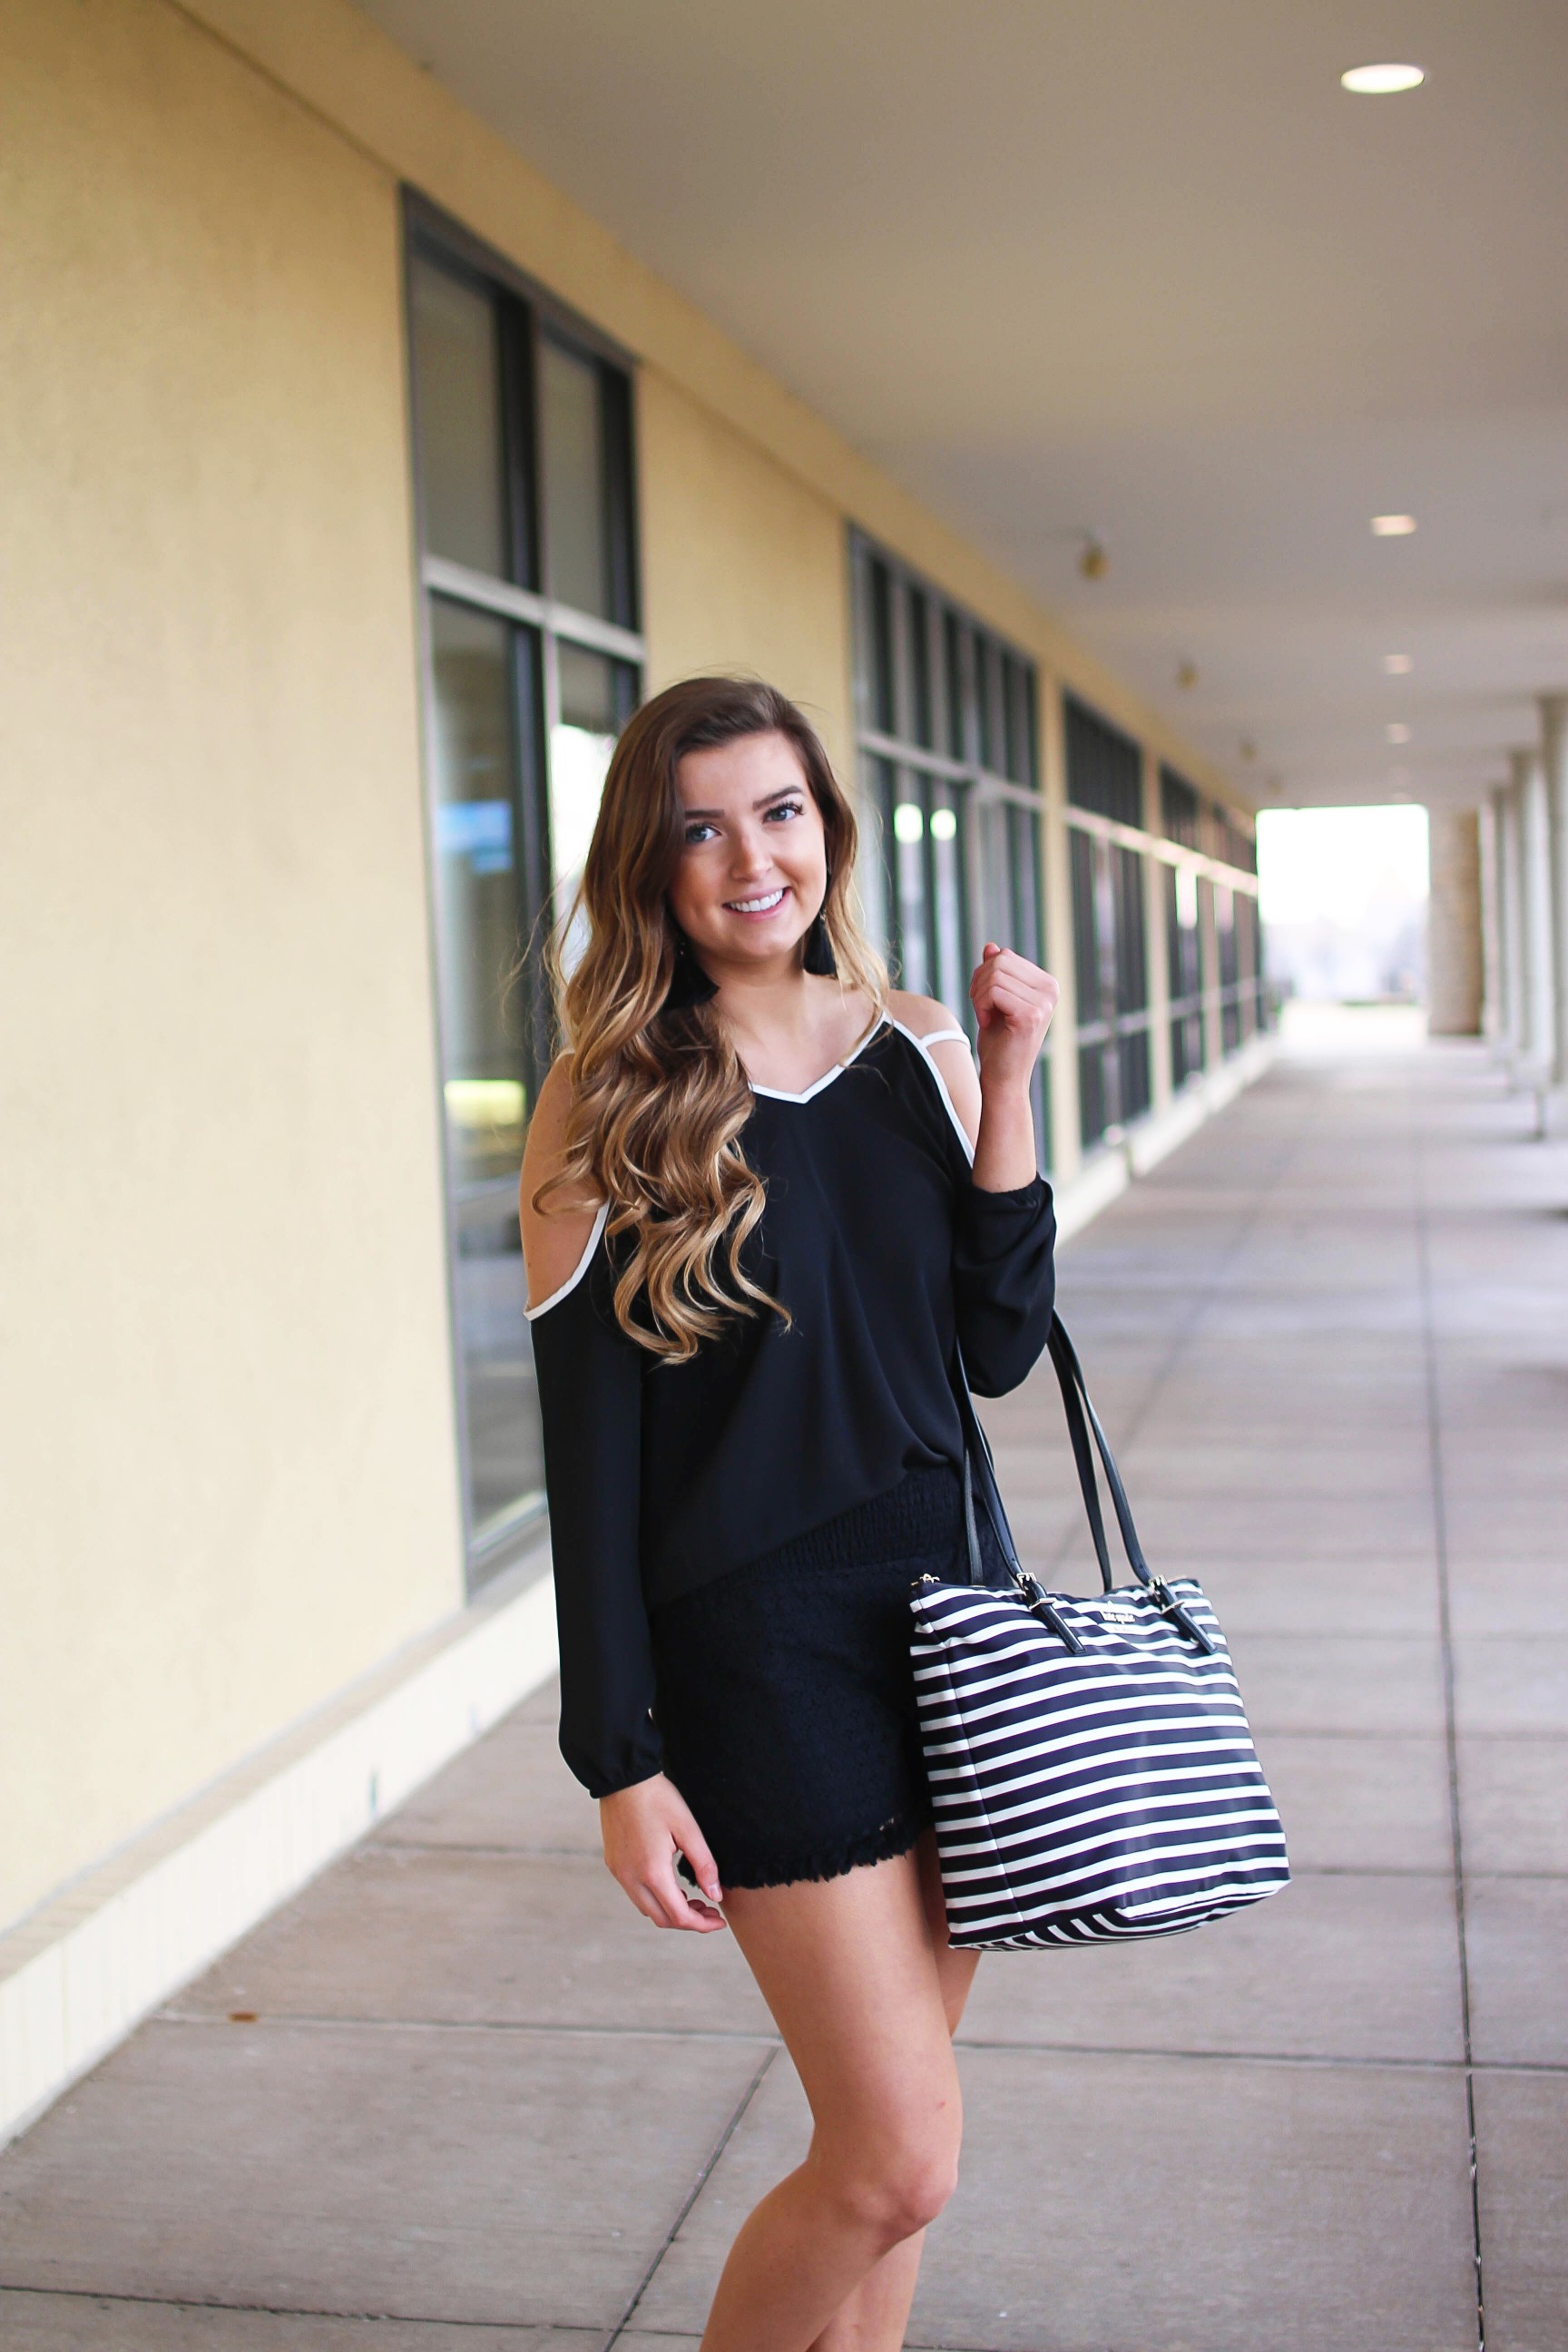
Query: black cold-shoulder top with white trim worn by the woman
x=666 y=1476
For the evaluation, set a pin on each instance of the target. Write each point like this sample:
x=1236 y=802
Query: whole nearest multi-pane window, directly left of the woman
x=523 y=723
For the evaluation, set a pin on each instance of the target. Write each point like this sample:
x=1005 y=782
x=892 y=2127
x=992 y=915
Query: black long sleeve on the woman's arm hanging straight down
x=591 y=1410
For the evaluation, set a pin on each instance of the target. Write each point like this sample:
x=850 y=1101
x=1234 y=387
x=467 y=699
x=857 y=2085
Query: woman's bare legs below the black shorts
x=866 y=2007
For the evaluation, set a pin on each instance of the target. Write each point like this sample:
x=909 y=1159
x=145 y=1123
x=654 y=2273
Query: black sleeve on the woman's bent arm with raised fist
x=1003 y=1283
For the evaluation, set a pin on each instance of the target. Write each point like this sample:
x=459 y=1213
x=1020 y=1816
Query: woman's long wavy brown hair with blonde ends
x=657 y=1095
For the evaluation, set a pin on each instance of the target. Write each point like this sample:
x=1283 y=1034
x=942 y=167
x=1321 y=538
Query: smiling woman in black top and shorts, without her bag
x=753 y=1234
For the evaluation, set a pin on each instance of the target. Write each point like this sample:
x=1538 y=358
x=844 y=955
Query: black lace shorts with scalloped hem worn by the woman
x=786 y=1699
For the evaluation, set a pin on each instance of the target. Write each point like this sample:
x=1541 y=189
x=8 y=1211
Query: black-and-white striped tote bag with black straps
x=1090 y=1760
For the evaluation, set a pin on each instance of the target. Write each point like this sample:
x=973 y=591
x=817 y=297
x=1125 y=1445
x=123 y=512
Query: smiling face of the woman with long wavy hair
x=753 y=869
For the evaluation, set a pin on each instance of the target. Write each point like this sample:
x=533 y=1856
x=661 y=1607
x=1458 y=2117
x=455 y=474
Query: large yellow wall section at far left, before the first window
x=225 y=1361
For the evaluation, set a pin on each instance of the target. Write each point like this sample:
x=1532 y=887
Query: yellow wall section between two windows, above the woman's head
x=744 y=566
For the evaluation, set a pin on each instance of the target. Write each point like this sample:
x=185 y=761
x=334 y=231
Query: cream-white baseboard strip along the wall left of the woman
x=79 y=1975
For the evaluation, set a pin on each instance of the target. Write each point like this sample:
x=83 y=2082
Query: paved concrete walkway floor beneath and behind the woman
x=462 y=2085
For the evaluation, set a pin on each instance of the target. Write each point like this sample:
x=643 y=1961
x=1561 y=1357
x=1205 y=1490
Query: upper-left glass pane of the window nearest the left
x=457 y=408
